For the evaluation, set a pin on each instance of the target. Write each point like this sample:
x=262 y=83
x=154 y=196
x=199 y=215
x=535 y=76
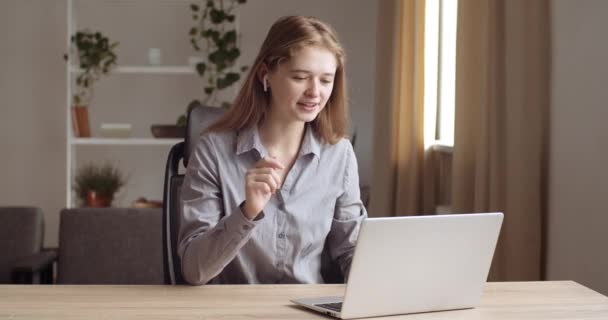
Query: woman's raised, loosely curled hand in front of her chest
x=261 y=182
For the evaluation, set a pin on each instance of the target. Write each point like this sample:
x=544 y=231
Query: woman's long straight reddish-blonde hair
x=286 y=36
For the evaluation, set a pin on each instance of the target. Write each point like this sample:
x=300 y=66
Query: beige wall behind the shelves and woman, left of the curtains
x=32 y=86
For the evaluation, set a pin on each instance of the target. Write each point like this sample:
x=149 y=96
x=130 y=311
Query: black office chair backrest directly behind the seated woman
x=199 y=118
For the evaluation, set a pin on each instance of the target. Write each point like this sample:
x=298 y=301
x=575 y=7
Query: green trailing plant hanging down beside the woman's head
x=214 y=38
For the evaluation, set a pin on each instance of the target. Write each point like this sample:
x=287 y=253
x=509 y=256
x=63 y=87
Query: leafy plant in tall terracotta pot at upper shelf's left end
x=96 y=57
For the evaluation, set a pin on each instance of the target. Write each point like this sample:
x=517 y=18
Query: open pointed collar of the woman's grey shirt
x=249 y=139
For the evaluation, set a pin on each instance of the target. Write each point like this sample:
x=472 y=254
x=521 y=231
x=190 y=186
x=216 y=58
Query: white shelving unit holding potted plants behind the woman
x=74 y=142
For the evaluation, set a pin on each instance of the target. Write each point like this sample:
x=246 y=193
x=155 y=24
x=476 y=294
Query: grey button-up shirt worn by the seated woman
x=318 y=200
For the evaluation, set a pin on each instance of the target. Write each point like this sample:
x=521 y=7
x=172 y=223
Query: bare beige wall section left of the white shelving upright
x=32 y=104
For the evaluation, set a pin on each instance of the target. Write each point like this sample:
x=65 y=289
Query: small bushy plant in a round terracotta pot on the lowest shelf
x=96 y=185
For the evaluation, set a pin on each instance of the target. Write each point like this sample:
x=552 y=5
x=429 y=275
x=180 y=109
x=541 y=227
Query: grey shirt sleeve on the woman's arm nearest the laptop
x=348 y=215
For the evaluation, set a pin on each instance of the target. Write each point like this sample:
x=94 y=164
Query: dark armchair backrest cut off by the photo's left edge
x=21 y=235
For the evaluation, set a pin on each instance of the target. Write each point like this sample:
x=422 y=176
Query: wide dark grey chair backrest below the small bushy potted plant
x=110 y=246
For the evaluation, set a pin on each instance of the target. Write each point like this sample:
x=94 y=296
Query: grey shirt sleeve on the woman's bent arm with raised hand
x=208 y=239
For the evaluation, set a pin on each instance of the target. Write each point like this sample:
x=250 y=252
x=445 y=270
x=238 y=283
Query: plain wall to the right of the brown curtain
x=578 y=207
